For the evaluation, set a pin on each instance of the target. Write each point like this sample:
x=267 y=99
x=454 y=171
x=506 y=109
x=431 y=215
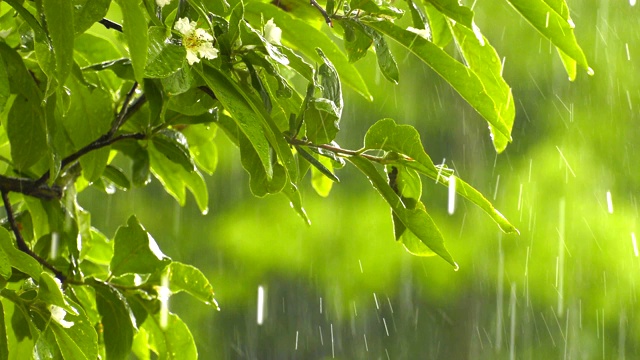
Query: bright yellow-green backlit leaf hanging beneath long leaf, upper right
x=484 y=61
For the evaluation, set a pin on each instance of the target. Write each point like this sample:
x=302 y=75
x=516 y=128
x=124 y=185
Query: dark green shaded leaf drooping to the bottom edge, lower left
x=117 y=321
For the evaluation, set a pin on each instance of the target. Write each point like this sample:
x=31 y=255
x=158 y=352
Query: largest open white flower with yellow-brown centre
x=198 y=42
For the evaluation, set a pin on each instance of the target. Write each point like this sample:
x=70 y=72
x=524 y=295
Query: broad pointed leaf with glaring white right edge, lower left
x=135 y=251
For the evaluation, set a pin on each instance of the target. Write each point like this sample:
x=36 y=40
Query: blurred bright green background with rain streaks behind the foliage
x=564 y=288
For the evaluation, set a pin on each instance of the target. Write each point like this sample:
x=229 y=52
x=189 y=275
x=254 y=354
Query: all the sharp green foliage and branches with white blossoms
x=74 y=104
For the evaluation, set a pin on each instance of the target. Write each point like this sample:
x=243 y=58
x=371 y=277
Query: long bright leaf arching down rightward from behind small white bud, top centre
x=304 y=37
